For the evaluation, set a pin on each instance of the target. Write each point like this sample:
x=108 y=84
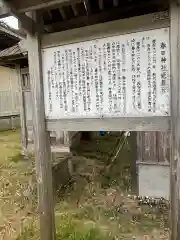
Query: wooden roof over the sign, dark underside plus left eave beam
x=61 y=15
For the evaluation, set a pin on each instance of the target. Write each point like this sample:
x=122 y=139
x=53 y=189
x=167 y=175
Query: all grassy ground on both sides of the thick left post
x=93 y=209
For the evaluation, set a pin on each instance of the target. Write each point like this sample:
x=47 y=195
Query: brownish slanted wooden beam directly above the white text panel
x=123 y=26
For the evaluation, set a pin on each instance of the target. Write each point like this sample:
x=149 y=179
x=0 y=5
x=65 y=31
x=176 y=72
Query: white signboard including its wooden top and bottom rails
x=113 y=76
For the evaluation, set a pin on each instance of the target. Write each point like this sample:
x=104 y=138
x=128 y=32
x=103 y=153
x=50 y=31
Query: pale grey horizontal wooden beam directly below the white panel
x=161 y=124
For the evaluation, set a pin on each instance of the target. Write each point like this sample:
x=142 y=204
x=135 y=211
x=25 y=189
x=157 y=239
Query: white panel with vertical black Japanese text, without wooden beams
x=118 y=76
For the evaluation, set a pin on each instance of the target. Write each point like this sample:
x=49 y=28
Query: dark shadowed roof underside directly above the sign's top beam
x=90 y=12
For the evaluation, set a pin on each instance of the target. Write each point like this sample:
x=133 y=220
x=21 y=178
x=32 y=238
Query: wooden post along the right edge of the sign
x=175 y=150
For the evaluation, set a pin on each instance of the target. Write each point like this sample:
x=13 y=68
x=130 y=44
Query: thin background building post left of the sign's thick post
x=24 y=136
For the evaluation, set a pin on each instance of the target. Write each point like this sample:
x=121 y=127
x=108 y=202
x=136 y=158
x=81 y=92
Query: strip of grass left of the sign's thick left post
x=16 y=195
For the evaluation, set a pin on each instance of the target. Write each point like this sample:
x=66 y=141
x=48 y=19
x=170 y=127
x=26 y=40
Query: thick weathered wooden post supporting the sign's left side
x=41 y=136
